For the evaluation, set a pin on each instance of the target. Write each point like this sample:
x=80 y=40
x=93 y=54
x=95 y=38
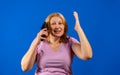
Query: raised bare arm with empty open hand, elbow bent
x=83 y=49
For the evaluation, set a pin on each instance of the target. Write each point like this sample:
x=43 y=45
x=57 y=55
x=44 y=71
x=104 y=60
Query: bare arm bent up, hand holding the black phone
x=29 y=58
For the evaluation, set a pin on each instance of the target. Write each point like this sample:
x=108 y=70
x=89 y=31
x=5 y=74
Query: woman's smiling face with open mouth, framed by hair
x=57 y=26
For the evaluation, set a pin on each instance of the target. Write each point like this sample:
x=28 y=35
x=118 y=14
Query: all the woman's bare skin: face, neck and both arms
x=82 y=49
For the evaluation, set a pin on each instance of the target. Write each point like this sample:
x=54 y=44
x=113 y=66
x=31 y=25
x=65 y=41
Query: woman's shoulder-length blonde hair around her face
x=63 y=38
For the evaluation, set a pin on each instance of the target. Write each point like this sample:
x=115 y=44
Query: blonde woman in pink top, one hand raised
x=55 y=53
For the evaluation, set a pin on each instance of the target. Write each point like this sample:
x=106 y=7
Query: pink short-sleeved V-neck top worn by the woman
x=58 y=62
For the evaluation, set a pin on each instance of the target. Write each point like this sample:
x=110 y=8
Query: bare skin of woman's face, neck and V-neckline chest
x=57 y=30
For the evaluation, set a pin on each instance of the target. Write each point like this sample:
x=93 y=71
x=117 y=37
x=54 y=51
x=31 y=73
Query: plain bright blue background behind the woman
x=20 y=21
